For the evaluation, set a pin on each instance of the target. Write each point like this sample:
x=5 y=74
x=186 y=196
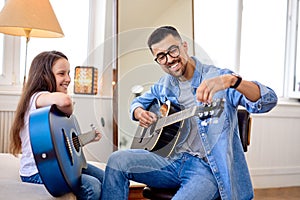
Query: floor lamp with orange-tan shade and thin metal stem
x=29 y=18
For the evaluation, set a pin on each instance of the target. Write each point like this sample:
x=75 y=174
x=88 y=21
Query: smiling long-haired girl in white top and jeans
x=47 y=84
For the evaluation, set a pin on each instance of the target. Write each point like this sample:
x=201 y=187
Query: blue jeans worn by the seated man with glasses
x=192 y=175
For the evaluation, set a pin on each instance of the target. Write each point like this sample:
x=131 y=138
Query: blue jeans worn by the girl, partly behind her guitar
x=91 y=182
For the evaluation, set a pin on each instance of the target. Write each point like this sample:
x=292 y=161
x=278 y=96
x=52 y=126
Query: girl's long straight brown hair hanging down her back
x=40 y=78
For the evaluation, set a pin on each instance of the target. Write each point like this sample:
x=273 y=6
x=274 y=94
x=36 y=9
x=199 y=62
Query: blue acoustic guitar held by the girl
x=57 y=142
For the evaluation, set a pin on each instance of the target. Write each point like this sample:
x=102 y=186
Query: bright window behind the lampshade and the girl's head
x=75 y=42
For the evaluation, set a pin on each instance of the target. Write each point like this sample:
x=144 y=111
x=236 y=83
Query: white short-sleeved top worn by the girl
x=27 y=163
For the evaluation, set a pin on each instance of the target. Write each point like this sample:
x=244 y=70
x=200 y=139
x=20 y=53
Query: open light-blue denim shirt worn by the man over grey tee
x=220 y=140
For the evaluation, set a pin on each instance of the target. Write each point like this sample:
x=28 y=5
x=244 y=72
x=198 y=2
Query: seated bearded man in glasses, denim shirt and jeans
x=208 y=161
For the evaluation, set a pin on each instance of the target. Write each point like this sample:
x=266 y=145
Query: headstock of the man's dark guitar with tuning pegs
x=210 y=110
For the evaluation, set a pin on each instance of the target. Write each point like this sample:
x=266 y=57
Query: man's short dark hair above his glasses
x=160 y=33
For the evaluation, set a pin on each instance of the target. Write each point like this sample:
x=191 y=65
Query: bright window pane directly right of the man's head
x=216 y=32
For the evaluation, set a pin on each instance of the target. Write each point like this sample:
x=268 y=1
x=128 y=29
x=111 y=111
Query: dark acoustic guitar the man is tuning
x=162 y=136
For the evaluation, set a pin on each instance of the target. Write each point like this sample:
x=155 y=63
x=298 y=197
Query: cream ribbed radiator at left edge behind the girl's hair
x=6 y=119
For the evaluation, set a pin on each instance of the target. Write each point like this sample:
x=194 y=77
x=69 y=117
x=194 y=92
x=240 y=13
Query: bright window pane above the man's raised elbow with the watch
x=263 y=42
